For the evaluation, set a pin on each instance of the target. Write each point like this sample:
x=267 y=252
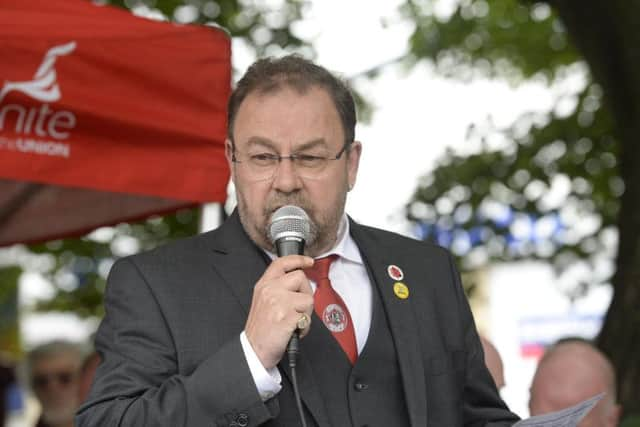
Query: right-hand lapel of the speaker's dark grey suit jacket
x=402 y=320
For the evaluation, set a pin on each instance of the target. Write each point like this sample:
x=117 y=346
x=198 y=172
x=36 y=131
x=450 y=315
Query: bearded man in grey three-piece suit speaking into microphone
x=194 y=333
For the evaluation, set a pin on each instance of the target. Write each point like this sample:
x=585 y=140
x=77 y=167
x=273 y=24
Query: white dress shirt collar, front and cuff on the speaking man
x=350 y=280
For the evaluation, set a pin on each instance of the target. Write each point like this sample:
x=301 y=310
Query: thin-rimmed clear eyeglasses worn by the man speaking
x=263 y=165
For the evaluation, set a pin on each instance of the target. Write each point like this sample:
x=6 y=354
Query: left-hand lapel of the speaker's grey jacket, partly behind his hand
x=241 y=263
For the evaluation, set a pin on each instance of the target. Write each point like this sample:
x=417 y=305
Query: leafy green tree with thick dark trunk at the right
x=587 y=153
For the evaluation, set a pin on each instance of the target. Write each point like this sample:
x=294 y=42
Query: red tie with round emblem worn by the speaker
x=330 y=308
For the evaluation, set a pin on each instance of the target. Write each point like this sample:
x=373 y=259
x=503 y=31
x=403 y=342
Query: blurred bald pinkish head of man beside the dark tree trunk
x=570 y=372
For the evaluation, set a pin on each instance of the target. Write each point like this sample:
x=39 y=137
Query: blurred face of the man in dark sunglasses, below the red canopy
x=55 y=383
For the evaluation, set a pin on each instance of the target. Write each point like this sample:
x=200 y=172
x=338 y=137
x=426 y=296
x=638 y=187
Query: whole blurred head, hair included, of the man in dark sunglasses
x=53 y=372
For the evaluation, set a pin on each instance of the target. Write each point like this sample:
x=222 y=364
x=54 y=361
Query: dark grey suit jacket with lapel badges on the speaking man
x=172 y=355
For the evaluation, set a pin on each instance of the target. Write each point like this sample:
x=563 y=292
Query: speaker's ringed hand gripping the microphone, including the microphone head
x=282 y=299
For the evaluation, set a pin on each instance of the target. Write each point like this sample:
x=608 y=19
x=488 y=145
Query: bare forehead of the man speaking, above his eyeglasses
x=288 y=117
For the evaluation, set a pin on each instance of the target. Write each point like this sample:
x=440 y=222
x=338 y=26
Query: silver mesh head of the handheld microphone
x=290 y=230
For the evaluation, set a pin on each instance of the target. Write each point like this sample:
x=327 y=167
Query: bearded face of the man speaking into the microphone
x=287 y=122
